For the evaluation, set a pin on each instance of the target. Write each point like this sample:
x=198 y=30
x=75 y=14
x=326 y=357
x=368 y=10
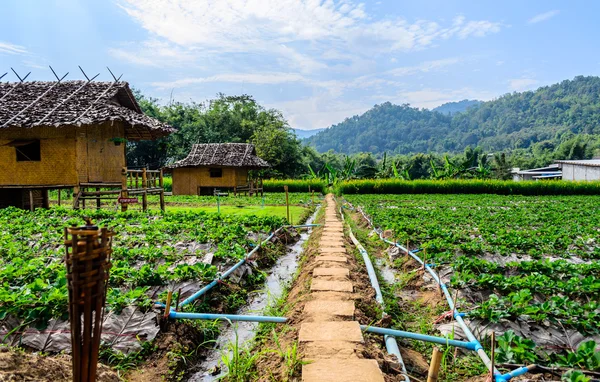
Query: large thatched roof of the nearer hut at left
x=69 y=103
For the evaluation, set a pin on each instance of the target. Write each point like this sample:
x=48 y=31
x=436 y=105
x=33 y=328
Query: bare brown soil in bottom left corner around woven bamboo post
x=17 y=365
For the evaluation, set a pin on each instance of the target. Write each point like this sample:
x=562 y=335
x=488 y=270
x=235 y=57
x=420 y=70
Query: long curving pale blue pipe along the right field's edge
x=457 y=315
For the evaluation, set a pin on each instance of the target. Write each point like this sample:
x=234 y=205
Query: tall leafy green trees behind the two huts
x=224 y=119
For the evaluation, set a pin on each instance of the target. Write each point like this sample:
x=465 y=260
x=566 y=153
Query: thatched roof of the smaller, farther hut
x=222 y=154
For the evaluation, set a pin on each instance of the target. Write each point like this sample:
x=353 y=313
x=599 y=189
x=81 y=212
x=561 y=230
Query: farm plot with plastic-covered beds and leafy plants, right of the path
x=524 y=265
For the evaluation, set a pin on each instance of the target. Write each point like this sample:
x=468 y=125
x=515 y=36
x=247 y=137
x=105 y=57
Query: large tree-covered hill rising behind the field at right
x=518 y=120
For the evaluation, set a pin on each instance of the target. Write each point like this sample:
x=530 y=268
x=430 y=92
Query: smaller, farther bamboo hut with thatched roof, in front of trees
x=214 y=167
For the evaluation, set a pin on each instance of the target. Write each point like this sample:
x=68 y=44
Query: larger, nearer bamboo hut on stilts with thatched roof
x=67 y=135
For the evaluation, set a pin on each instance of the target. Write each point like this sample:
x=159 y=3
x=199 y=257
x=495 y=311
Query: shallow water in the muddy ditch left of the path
x=281 y=274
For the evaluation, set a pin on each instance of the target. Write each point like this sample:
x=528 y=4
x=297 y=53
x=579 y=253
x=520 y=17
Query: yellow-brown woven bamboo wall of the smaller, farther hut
x=186 y=180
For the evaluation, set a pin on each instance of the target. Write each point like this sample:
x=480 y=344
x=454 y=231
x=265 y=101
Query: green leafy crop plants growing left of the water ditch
x=149 y=250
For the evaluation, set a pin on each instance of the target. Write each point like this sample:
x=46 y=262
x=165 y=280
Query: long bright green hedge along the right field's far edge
x=396 y=186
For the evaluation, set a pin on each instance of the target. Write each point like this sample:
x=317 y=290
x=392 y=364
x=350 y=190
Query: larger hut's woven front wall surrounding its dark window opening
x=57 y=157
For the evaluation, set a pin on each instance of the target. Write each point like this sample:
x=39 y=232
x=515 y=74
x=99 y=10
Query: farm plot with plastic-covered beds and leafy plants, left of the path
x=152 y=253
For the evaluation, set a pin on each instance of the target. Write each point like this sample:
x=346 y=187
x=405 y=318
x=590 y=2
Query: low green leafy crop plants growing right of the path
x=461 y=231
